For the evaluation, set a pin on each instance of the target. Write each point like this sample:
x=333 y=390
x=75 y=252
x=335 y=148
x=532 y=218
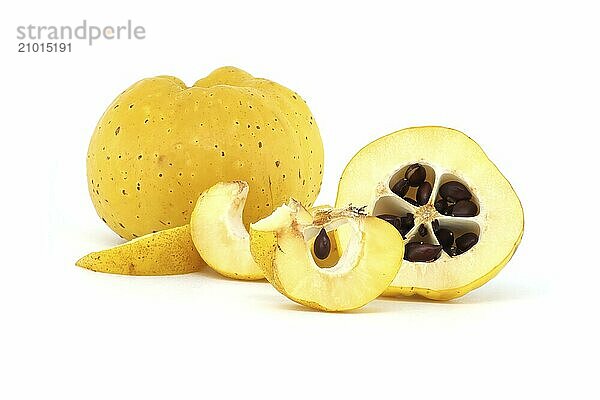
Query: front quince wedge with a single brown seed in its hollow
x=281 y=246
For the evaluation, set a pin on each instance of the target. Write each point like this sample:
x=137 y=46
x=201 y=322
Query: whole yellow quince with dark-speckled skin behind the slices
x=160 y=144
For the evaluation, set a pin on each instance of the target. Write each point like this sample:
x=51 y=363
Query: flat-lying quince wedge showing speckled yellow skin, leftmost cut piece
x=167 y=252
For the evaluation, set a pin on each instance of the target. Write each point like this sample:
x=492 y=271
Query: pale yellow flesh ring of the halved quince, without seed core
x=501 y=216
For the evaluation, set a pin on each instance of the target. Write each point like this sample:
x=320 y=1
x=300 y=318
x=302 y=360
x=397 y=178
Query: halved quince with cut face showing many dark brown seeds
x=461 y=218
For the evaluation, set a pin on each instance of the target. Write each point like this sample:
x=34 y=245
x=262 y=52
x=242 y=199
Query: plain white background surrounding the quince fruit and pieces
x=520 y=77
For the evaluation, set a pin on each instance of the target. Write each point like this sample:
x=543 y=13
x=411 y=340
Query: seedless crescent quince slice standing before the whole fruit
x=219 y=233
